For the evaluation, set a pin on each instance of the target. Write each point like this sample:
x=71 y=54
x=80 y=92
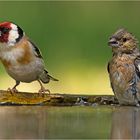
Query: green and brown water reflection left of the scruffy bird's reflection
x=54 y=122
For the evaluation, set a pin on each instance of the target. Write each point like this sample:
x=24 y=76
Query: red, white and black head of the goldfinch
x=10 y=34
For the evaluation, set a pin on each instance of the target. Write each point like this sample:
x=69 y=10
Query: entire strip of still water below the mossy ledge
x=22 y=122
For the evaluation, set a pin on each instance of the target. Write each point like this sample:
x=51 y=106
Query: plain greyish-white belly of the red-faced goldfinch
x=27 y=72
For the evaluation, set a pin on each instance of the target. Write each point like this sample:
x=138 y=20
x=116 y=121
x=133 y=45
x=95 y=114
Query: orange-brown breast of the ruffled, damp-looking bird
x=121 y=71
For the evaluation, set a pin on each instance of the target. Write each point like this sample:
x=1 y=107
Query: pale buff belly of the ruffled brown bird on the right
x=122 y=81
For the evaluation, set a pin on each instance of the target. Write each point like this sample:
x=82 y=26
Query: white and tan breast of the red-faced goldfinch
x=18 y=55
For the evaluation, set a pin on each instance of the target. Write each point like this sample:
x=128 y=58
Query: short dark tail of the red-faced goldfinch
x=45 y=77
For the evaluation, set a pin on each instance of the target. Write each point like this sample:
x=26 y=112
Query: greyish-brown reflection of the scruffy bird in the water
x=126 y=123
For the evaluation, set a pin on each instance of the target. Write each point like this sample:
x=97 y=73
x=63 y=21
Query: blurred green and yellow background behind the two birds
x=73 y=39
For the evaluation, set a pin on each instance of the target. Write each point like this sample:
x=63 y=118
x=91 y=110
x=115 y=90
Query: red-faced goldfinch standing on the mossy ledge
x=21 y=58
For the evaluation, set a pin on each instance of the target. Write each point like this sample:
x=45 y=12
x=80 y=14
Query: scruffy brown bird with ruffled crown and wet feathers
x=124 y=67
